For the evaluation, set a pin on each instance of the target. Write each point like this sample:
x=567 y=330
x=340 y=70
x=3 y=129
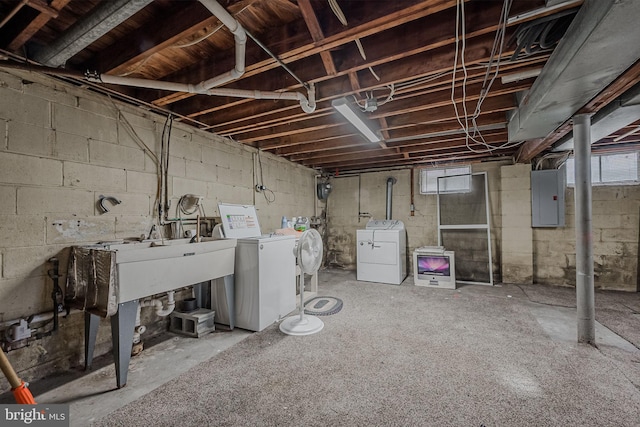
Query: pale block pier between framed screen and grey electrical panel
x=517 y=234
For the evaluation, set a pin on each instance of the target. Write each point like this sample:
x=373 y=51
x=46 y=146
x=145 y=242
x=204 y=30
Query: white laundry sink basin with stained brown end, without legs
x=104 y=275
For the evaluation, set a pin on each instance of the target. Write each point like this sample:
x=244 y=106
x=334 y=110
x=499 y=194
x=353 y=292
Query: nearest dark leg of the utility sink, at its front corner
x=122 y=325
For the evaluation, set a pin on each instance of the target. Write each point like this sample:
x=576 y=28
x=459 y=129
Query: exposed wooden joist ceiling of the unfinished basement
x=395 y=59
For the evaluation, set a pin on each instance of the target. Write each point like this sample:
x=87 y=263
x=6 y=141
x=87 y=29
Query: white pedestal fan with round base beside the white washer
x=308 y=253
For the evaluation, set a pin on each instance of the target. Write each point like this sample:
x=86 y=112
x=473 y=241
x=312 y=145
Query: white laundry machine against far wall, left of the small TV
x=382 y=252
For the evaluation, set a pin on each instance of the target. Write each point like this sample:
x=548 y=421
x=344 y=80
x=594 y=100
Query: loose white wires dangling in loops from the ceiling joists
x=470 y=127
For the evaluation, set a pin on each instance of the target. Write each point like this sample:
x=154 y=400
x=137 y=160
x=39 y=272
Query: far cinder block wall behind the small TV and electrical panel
x=521 y=254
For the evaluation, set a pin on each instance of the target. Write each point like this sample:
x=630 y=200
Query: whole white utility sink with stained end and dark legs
x=109 y=279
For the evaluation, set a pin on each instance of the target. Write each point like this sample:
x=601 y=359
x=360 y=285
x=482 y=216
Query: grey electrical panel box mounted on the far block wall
x=547 y=197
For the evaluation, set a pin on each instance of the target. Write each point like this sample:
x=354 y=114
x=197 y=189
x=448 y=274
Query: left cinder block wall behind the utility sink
x=61 y=148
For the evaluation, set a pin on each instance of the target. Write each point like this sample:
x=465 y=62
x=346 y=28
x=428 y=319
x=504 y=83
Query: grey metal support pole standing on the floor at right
x=584 y=241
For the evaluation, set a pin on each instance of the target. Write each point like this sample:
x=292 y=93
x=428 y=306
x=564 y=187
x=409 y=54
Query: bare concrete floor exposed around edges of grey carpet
x=94 y=395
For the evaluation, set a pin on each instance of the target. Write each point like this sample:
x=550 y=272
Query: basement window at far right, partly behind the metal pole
x=609 y=169
